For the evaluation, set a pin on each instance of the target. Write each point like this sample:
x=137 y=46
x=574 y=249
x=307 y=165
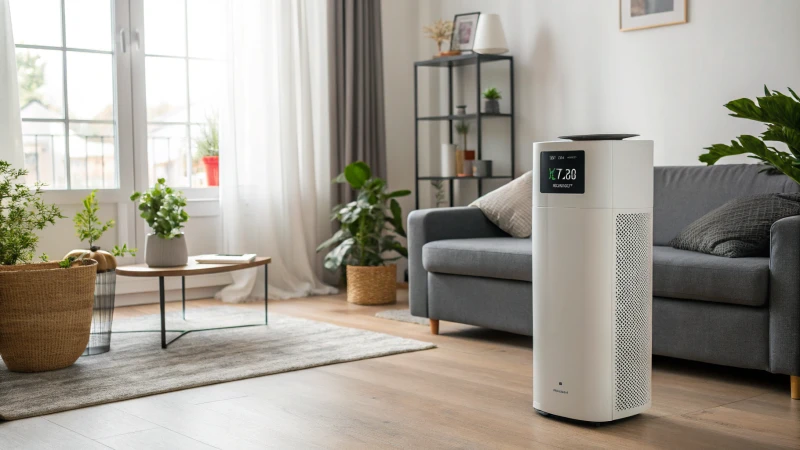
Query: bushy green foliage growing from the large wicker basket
x=22 y=214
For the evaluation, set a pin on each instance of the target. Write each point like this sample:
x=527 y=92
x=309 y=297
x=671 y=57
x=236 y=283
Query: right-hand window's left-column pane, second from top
x=166 y=89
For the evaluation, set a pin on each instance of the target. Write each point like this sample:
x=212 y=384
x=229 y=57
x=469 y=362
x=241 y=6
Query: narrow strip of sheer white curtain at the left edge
x=10 y=124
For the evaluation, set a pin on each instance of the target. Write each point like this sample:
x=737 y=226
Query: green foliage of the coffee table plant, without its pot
x=163 y=209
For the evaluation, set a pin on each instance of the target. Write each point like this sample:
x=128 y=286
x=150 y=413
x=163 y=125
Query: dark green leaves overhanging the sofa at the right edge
x=781 y=113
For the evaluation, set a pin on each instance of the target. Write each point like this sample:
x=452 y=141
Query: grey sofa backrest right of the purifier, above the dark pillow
x=683 y=194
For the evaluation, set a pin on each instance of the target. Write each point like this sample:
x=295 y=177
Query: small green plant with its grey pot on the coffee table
x=163 y=210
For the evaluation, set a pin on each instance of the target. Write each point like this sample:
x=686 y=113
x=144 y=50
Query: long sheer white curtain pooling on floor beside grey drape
x=274 y=145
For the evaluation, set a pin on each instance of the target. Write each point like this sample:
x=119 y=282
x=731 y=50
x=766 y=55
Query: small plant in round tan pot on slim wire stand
x=89 y=228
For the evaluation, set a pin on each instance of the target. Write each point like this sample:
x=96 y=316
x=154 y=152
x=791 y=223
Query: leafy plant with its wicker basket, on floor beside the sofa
x=370 y=226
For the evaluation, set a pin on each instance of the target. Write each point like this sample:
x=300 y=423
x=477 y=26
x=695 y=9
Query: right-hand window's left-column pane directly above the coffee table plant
x=168 y=153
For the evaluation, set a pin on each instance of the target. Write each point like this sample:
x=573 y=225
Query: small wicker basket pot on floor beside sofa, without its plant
x=372 y=285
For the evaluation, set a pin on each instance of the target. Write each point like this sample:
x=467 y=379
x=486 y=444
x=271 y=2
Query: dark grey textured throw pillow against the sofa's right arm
x=738 y=228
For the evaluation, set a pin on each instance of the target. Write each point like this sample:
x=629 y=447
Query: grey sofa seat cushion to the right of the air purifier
x=698 y=276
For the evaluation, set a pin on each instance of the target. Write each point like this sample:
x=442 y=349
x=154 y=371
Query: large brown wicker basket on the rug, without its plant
x=45 y=314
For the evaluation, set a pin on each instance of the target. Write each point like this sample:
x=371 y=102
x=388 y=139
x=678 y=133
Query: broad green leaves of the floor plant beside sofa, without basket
x=370 y=224
